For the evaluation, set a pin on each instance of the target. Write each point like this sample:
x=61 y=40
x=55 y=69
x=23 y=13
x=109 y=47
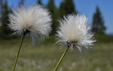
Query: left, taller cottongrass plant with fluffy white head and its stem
x=33 y=21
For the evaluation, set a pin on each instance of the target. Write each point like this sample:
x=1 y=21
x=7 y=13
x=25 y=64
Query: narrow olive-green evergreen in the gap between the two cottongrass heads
x=54 y=12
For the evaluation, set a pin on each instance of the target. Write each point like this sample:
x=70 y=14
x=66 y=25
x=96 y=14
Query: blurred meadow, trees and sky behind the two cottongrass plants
x=45 y=55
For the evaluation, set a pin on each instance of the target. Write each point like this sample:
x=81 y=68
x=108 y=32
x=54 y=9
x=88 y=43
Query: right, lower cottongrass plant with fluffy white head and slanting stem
x=74 y=32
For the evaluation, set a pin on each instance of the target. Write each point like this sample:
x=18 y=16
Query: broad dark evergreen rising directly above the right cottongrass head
x=67 y=7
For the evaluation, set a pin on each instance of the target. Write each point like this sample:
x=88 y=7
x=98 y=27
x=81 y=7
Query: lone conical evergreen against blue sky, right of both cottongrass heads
x=98 y=23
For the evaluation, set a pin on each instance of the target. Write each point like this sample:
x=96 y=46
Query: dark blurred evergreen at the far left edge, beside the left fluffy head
x=4 y=30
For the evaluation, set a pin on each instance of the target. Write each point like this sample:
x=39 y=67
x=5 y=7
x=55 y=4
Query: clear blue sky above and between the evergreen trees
x=87 y=7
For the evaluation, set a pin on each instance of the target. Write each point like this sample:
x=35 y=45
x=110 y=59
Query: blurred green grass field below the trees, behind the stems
x=44 y=57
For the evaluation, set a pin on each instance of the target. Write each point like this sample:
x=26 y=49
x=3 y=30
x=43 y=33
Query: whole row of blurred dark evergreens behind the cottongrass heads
x=66 y=7
